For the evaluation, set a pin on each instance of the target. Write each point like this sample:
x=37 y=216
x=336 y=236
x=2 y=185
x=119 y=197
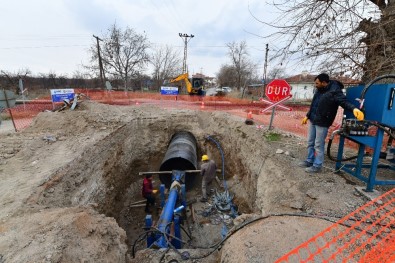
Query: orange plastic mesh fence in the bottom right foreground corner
x=365 y=235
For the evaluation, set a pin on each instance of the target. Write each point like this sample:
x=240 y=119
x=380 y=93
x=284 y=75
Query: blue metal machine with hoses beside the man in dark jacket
x=377 y=103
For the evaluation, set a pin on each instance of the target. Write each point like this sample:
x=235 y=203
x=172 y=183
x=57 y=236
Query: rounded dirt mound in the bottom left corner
x=63 y=235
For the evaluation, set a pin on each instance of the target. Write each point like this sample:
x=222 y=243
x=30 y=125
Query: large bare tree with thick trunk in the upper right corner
x=338 y=36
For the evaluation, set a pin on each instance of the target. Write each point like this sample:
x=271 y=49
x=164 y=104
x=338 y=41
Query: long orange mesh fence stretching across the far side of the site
x=283 y=119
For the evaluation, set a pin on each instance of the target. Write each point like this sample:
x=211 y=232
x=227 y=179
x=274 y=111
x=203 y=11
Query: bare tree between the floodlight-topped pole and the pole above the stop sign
x=240 y=62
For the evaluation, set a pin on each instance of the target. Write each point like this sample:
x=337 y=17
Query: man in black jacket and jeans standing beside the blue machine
x=323 y=109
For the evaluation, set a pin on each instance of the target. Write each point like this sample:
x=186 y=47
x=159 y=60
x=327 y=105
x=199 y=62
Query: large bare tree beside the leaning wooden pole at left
x=124 y=53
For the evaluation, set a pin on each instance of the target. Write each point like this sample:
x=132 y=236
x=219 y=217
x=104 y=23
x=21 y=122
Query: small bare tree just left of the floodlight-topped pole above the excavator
x=167 y=64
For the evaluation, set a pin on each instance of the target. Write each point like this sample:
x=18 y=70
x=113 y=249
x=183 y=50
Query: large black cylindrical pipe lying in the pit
x=181 y=155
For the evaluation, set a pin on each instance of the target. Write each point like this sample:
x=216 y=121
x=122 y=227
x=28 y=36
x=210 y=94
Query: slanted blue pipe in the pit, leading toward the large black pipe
x=167 y=217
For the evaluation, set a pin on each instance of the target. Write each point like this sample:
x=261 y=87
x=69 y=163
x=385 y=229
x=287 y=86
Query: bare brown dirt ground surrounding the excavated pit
x=66 y=183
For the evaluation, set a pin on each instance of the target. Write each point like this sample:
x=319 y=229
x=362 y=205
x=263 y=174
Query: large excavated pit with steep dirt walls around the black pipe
x=109 y=178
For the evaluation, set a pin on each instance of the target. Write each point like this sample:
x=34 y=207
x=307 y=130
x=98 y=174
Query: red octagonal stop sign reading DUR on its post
x=277 y=90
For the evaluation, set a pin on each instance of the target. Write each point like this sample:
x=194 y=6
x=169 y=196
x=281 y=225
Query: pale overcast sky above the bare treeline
x=54 y=35
